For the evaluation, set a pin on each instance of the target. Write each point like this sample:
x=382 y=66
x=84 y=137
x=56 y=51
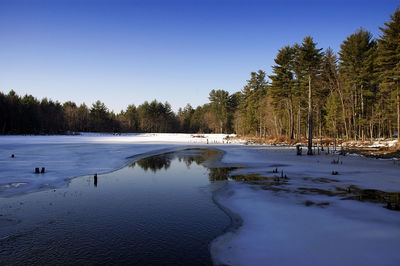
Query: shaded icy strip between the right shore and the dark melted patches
x=352 y=170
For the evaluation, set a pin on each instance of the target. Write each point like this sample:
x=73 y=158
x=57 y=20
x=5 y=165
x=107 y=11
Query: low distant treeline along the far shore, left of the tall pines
x=28 y=115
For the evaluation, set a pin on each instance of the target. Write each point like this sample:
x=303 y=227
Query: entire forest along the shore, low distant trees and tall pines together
x=353 y=94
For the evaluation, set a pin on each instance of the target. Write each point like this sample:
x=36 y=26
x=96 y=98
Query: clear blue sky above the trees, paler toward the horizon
x=126 y=52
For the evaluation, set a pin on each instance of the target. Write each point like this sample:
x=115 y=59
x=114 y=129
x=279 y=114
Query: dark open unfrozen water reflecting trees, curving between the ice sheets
x=157 y=211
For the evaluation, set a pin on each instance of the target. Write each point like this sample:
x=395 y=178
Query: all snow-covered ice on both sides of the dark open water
x=279 y=227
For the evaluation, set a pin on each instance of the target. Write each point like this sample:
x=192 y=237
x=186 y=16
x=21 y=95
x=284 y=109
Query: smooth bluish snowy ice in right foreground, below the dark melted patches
x=278 y=230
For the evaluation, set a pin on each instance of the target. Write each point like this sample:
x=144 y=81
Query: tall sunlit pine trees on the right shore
x=354 y=94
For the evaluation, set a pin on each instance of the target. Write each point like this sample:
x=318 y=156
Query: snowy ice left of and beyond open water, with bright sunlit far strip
x=65 y=157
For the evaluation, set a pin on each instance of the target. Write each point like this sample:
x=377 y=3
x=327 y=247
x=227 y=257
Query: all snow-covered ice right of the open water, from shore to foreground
x=280 y=229
